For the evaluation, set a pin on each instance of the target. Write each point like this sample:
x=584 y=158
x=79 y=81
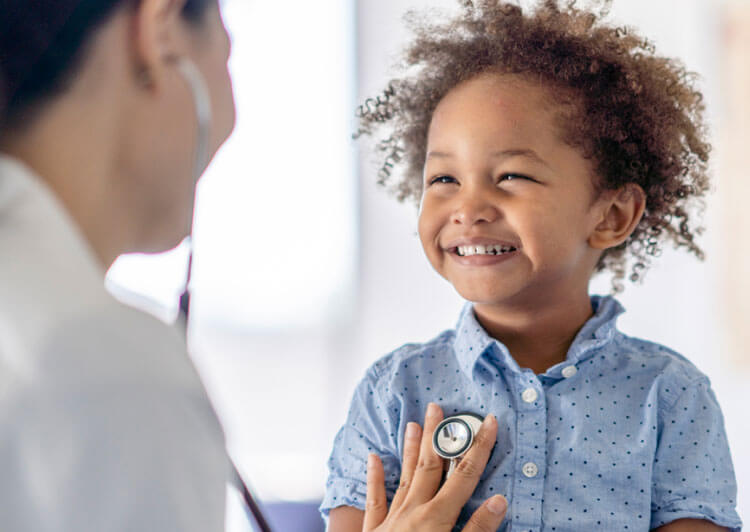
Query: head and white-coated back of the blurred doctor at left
x=104 y=424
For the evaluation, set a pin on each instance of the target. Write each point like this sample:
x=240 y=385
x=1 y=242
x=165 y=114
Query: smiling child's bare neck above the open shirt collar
x=538 y=337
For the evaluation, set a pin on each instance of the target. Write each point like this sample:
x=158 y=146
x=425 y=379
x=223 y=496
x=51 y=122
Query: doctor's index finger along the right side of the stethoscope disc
x=464 y=479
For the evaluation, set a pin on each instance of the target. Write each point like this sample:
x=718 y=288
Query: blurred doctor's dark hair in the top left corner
x=42 y=44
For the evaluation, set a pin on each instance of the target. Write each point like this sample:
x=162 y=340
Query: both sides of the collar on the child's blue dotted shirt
x=472 y=341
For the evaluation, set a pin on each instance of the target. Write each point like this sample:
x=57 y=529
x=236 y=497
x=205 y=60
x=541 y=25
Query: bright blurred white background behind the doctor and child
x=305 y=272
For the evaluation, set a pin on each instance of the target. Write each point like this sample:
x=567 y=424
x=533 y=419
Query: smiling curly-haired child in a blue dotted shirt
x=545 y=146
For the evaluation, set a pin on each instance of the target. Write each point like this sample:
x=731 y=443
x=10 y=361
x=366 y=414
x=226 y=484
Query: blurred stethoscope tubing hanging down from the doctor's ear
x=202 y=102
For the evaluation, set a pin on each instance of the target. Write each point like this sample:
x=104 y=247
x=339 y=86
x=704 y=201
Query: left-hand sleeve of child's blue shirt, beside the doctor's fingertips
x=371 y=427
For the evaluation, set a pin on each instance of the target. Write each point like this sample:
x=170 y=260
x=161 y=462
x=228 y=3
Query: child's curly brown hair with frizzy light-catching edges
x=637 y=116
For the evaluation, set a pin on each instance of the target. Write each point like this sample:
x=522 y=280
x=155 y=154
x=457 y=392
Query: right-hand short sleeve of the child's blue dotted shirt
x=693 y=476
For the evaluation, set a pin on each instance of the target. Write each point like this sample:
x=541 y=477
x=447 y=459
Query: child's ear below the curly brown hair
x=622 y=209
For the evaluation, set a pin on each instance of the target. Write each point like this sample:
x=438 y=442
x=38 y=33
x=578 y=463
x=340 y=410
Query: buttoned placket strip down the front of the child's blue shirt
x=530 y=464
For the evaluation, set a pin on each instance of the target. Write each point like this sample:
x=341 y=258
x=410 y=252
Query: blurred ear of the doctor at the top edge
x=157 y=39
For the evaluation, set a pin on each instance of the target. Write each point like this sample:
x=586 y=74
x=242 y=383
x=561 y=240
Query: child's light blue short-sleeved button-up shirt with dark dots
x=623 y=435
